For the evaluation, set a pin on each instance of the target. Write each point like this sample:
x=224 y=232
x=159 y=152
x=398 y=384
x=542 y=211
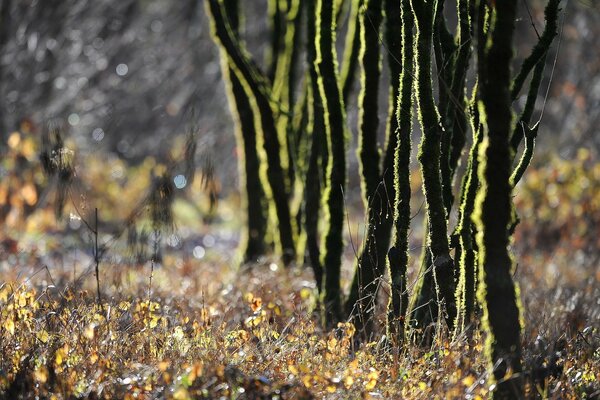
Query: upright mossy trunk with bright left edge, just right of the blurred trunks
x=336 y=166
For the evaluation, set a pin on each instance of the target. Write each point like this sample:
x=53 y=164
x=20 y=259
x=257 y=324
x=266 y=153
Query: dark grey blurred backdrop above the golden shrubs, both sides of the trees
x=129 y=75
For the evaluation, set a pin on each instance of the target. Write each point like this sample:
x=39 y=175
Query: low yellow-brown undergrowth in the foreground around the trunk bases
x=208 y=333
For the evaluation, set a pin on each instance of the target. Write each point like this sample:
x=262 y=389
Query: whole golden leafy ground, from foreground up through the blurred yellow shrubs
x=196 y=326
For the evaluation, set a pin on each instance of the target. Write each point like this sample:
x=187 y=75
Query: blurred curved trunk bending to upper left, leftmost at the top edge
x=257 y=89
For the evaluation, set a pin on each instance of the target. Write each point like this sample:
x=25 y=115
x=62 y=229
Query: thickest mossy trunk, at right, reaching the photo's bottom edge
x=493 y=210
